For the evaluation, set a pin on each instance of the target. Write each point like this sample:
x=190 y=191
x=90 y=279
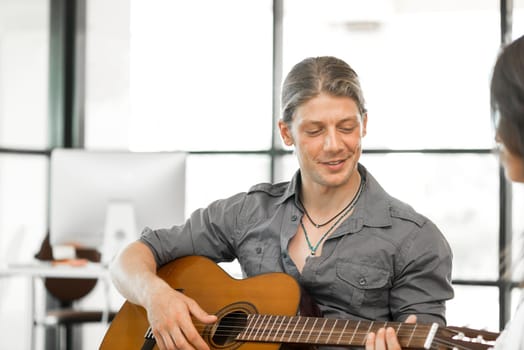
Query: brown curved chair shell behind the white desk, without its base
x=67 y=290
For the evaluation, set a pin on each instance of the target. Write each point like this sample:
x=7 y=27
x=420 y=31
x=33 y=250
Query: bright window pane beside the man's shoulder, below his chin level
x=449 y=190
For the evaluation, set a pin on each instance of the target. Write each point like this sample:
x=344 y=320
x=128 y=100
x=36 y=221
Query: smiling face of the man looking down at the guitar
x=327 y=134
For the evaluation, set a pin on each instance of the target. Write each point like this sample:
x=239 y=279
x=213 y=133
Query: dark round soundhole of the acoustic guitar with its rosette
x=232 y=320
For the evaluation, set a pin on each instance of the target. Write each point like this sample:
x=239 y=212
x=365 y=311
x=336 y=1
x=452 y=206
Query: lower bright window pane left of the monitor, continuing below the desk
x=23 y=199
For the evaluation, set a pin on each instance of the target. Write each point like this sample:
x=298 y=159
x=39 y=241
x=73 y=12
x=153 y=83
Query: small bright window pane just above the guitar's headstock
x=474 y=307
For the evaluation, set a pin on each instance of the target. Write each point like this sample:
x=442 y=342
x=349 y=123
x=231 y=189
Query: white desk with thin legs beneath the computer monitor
x=41 y=269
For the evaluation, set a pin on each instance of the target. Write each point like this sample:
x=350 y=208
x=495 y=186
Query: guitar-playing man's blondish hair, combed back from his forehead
x=315 y=75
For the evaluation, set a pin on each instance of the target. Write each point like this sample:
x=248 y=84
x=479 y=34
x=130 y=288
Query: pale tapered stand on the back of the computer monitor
x=120 y=228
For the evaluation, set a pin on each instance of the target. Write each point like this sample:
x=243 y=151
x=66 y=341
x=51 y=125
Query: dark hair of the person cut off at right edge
x=507 y=96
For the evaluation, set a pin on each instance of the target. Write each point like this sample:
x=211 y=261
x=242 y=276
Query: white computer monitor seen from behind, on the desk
x=103 y=199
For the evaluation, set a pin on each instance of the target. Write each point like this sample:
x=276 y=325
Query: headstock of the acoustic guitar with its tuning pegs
x=464 y=338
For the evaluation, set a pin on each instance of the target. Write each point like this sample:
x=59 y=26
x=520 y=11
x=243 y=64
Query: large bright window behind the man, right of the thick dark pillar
x=204 y=86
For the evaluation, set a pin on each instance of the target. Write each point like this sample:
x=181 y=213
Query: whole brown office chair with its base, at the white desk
x=66 y=291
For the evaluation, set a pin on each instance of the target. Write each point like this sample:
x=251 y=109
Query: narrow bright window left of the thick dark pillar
x=24 y=51
